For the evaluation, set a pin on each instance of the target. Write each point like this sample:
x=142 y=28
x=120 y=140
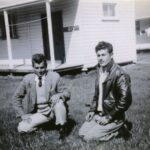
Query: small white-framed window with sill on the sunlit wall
x=109 y=11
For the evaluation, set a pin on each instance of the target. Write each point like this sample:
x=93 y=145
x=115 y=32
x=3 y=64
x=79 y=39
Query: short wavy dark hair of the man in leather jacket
x=104 y=45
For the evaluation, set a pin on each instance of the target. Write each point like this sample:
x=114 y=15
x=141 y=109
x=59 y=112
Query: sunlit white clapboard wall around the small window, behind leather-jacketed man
x=120 y=33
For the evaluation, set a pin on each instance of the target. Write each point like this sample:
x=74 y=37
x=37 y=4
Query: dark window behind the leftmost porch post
x=13 y=29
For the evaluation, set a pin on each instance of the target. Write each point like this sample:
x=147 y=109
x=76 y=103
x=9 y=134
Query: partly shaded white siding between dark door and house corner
x=71 y=17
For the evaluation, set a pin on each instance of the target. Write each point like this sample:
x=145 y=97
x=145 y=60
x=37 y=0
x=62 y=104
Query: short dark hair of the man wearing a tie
x=38 y=58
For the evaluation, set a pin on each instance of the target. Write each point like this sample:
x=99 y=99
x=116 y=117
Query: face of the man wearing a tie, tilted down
x=39 y=69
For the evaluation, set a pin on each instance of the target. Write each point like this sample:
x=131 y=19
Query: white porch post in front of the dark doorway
x=50 y=34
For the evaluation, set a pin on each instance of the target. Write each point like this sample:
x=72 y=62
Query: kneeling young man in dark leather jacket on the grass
x=111 y=99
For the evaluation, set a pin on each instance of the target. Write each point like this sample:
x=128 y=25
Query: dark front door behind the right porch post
x=58 y=37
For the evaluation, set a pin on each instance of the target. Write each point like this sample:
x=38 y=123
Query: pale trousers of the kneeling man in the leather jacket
x=91 y=130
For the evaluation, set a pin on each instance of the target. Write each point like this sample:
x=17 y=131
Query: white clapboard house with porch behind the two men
x=66 y=31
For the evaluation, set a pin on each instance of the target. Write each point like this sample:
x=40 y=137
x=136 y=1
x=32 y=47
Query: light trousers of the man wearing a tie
x=32 y=121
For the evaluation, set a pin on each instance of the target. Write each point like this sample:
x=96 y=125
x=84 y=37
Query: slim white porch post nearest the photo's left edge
x=9 y=47
